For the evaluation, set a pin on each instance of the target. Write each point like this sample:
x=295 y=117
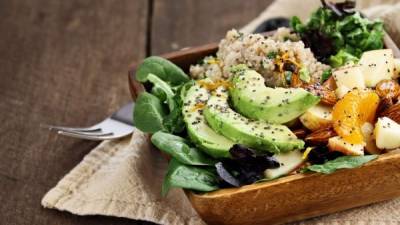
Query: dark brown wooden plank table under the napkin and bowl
x=65 y=62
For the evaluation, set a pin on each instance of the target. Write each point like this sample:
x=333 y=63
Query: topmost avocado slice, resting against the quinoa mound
x=253 y=99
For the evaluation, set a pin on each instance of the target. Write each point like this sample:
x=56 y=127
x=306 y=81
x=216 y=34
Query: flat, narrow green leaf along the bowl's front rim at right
x=343 y=162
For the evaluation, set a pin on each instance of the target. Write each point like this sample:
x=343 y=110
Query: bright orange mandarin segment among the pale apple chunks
x=352 y=111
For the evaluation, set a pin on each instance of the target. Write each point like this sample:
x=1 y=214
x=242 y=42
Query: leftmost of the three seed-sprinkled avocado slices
x=199 y=132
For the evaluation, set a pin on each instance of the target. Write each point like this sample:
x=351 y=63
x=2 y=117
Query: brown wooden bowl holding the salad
x=292 y=197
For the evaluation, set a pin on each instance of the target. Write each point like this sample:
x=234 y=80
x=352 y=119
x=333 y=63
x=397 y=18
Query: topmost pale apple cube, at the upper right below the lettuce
x=377 y=65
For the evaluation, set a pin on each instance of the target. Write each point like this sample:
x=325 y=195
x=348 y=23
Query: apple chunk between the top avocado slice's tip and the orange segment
x=317 y=117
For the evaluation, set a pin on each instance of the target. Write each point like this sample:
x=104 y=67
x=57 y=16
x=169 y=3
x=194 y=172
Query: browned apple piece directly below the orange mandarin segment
x=340 y=145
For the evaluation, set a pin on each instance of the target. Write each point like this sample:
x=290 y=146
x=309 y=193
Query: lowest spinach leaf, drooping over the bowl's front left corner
x=189 y=177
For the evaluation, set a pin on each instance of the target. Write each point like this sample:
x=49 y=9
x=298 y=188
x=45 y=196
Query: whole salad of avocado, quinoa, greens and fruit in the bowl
x=319 y=97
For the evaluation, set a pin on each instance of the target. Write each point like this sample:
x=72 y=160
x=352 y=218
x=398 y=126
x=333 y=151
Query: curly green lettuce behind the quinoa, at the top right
x=330 y=36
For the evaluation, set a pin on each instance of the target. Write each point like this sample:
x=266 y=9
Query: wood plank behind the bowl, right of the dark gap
x=176 y=25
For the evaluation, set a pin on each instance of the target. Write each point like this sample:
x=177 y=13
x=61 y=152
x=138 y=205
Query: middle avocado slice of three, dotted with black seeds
x=254 y=134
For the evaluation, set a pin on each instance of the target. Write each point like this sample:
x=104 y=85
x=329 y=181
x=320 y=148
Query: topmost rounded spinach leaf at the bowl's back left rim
x=162 y=68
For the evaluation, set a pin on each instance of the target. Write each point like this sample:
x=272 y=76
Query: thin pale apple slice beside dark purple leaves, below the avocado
x=289 y=162
